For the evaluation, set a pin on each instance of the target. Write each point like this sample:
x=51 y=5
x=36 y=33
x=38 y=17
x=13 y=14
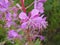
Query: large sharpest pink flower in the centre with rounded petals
x=32 y=21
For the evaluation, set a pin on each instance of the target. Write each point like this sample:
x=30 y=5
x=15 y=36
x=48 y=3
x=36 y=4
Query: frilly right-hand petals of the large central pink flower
x=40 y=22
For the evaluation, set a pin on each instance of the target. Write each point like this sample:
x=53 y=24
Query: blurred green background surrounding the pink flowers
x=52 y=33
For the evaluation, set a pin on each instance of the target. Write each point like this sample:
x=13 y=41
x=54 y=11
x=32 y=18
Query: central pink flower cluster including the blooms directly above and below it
x=34 y=20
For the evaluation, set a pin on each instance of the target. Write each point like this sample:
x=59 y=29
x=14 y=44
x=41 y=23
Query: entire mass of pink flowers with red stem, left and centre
x=27 y=22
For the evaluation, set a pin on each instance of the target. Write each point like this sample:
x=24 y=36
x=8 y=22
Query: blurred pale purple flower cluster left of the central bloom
x=11 y=18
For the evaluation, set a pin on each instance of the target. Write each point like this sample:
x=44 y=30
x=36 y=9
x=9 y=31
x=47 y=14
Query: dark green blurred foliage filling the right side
x=52 y=10
